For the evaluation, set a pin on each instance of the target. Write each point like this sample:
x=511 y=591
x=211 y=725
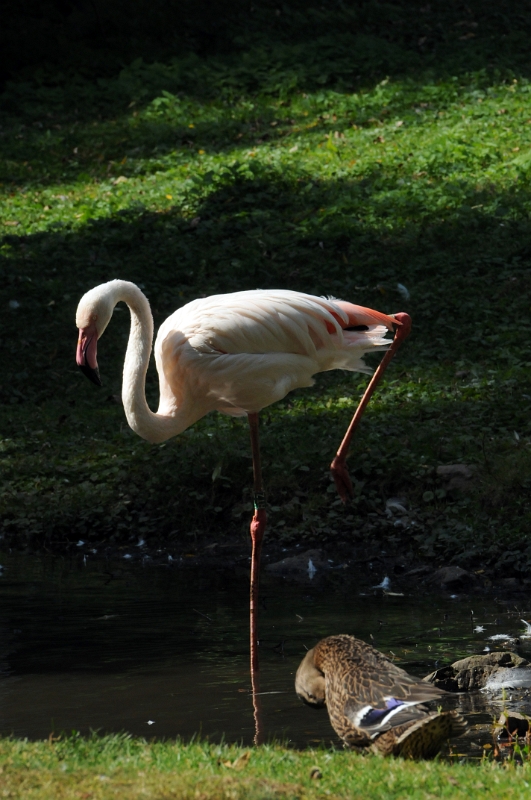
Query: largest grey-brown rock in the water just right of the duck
x=471 y=674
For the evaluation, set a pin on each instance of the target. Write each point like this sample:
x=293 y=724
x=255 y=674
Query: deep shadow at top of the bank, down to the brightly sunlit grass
x=62 y=65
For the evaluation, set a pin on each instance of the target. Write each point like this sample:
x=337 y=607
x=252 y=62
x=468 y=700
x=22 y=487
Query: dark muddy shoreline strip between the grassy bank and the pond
x=372 y=568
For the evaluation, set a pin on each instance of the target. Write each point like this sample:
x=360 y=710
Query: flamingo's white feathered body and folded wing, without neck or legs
x=243 y=351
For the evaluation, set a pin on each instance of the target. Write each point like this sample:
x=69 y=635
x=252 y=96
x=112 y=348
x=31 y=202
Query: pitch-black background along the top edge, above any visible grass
x=98 y=38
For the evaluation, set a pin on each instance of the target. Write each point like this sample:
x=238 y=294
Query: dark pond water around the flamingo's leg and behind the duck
x=162 y=650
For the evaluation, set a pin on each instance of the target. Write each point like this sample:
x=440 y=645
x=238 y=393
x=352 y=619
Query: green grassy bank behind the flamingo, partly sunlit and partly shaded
x=355 y=158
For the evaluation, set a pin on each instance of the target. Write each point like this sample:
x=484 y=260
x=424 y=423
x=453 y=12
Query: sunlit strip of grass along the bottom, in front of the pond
x=119 y=766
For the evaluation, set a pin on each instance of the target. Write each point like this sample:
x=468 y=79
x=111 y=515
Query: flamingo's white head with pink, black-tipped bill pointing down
x=93 y=315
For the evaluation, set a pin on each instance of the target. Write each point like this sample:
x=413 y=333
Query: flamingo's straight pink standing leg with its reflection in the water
x=258 y=525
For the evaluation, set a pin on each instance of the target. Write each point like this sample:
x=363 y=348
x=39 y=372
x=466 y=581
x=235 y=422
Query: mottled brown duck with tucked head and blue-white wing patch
x=372 y=703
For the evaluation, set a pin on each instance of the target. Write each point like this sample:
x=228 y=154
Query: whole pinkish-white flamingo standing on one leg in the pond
x=235 y=353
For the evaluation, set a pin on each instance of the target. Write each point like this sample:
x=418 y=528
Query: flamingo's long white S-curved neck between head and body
x=144 y=422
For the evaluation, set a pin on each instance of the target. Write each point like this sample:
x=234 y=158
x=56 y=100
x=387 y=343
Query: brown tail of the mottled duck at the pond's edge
x=422 y=739
